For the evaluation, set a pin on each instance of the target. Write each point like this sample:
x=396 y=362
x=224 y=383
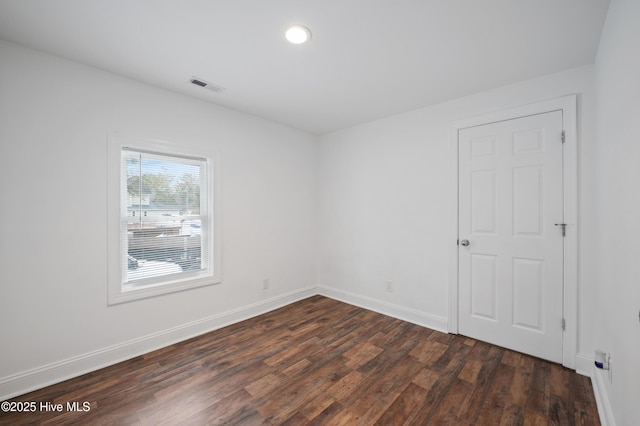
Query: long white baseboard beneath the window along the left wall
x=27 y=381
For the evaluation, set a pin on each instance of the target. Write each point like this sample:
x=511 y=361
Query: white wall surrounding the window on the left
x=54 y=119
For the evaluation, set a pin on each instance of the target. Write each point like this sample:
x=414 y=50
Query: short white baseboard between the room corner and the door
x=406 y=314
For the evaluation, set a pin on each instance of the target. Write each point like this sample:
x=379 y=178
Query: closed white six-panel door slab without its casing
x=510 y=200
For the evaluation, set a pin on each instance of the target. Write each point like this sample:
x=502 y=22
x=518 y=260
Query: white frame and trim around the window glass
x=118 y=290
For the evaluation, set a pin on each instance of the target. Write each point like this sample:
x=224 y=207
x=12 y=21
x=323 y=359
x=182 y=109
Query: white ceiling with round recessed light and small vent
x=367 y=59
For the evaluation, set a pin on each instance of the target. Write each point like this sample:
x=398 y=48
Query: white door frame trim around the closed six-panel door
x=566 y=104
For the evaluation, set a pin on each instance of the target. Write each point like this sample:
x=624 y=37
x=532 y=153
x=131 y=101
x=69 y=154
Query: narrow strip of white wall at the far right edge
x=617 y=330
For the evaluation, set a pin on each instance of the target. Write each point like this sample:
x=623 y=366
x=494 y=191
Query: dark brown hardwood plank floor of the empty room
x=319 y=361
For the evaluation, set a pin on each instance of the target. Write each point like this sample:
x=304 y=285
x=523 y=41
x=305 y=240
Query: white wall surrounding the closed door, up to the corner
x=385 y=204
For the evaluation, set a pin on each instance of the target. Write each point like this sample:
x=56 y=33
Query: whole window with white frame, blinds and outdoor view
x=162 y=223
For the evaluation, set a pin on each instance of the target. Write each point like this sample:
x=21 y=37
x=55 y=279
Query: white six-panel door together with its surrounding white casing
x=517 y=279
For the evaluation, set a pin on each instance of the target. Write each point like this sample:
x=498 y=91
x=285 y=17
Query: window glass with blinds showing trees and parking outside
x=164 y=212
